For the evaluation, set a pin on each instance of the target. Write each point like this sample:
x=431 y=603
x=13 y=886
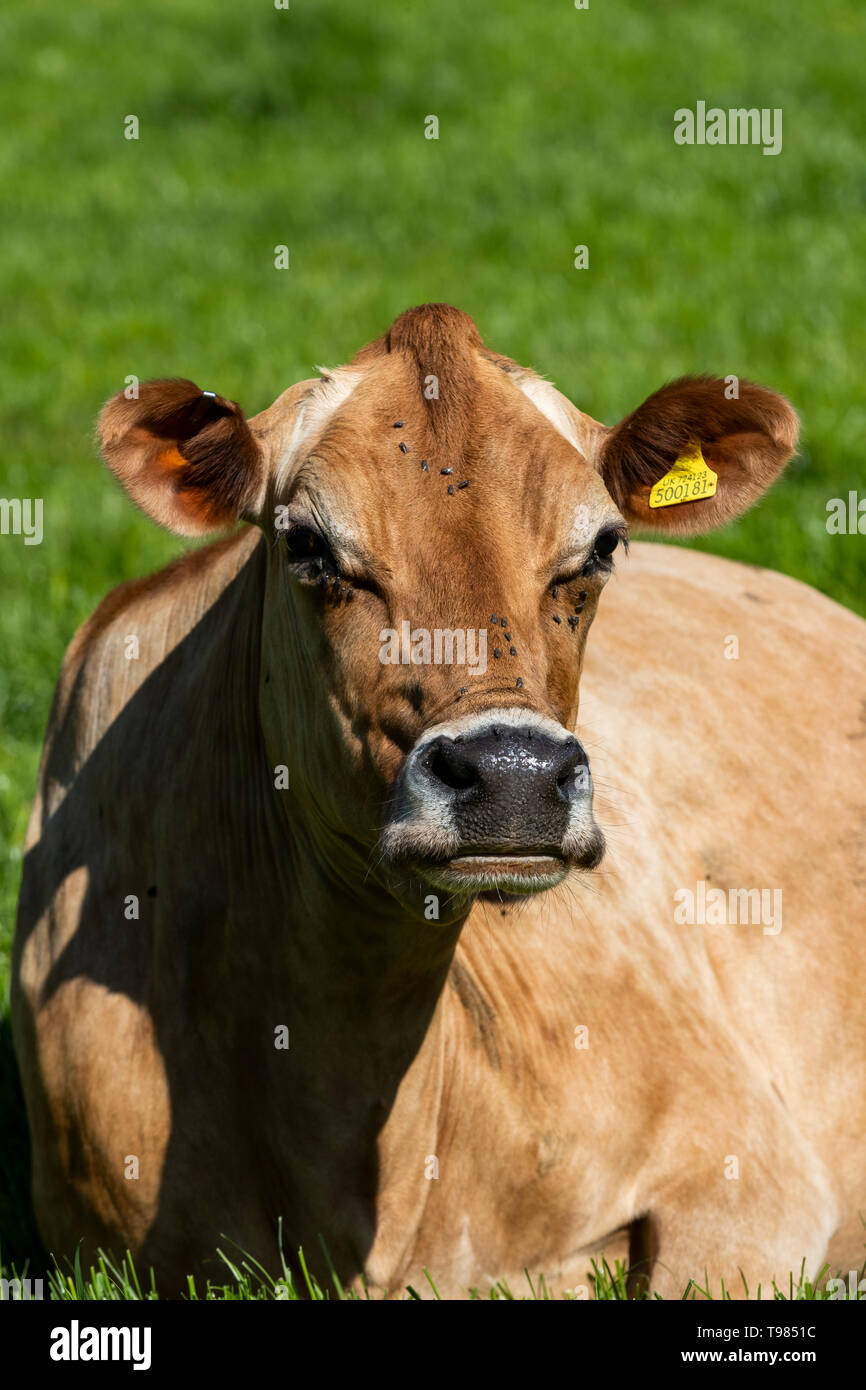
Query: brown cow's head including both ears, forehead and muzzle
x=440 y=525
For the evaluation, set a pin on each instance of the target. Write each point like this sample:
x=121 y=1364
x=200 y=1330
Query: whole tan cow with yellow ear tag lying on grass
x=327 y=943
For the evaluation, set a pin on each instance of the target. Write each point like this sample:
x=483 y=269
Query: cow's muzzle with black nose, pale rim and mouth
x=497 y=803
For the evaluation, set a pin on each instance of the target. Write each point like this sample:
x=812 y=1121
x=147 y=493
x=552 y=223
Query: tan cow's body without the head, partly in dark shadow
x=440 y=1104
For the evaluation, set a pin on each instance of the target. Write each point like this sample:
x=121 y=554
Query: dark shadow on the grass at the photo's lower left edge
x=19 y=1236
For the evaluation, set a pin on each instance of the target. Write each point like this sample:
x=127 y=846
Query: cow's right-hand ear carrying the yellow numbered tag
x=744 y=441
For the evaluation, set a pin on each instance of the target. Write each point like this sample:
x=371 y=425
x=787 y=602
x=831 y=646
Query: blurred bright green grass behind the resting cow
x=307 y=127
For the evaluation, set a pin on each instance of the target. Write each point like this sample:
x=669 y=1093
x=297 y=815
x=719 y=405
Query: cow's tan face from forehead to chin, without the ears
x=433 y=576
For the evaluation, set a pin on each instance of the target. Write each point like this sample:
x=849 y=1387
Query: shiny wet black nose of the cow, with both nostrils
x=508 y=787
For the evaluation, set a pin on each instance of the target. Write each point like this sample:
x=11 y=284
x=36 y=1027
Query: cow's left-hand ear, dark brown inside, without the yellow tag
x=187 y=457
